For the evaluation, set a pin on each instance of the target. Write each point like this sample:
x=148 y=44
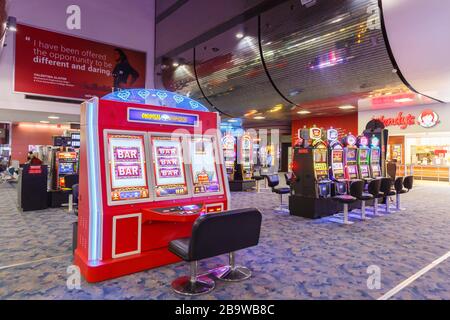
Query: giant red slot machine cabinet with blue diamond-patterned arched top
x=150 y=165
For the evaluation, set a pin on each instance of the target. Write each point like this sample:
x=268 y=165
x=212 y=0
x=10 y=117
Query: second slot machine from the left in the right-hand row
x=336 y=160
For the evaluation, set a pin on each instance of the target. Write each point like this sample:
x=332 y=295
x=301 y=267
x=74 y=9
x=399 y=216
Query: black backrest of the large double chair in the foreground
x=219 y=233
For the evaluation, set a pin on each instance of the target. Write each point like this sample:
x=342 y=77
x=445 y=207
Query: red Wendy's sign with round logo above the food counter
x=427 y=119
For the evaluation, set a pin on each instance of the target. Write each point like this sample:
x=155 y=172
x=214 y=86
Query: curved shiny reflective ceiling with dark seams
x=323 y=59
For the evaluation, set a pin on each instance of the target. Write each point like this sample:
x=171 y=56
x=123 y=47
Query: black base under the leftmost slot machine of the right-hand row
x=312 y=208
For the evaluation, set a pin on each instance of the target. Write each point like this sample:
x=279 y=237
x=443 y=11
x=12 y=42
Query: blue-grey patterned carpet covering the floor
x=296 y=259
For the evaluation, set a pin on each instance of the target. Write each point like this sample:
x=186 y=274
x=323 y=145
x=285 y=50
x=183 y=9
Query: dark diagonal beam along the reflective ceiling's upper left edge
x=221 y=28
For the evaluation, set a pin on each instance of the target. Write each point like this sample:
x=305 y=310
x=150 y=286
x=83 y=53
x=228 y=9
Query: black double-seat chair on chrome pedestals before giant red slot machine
x=211 y=237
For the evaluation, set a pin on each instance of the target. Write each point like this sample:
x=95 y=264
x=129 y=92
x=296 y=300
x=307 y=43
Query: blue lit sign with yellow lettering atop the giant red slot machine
x=161 y=117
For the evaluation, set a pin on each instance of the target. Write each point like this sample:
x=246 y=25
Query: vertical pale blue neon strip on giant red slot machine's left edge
x=95 y=200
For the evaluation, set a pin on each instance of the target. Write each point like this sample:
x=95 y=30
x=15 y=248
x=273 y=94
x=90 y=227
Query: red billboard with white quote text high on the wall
x=54 y=64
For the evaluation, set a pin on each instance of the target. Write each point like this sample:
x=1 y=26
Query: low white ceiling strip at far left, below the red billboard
x=15 y=116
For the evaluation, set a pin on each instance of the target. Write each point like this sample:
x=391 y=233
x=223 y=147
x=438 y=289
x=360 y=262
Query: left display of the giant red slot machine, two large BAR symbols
x=127 y=167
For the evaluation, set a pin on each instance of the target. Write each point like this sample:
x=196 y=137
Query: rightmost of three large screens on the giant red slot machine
x=204 y=169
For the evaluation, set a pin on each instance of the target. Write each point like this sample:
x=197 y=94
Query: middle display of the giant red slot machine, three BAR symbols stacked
x=168 y=167
